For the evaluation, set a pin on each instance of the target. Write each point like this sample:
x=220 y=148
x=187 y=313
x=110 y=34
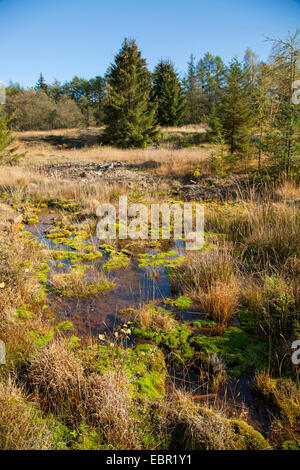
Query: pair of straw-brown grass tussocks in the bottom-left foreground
x=57 y=379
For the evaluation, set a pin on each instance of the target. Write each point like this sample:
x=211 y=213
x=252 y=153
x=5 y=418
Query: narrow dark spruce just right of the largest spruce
x=168 y=95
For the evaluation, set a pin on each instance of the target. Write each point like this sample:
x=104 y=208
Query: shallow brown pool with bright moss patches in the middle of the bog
x=134 y=287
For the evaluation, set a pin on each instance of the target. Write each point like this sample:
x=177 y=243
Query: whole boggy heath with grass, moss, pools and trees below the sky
x=139 y=344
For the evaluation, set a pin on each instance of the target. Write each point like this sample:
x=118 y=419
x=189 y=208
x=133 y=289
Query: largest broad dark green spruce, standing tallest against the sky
x=129 y=112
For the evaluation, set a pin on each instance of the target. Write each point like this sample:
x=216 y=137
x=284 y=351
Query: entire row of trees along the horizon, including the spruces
x=248 y=105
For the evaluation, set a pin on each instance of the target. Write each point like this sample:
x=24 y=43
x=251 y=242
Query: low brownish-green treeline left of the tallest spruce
x=50 y=106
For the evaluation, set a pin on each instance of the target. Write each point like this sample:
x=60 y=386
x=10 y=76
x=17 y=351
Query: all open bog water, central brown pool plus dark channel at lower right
x=135 y=287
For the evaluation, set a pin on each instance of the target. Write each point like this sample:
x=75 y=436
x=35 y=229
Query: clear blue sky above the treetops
x=80 y=37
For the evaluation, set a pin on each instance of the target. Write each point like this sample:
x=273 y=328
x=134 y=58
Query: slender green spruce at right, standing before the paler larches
x=235 y=111
